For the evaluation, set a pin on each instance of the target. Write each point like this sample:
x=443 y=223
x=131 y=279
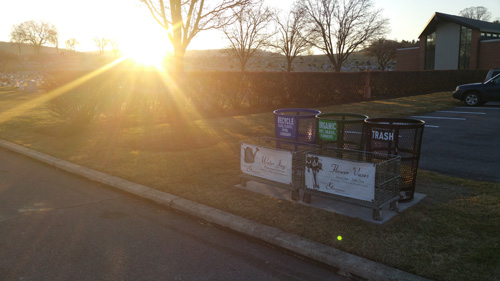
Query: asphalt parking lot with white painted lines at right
x=463 y=142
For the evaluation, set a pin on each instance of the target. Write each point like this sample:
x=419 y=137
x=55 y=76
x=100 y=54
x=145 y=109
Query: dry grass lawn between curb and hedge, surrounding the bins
x=452 y=234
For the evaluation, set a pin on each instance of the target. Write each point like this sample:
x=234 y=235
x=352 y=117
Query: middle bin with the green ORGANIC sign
x=341 y=130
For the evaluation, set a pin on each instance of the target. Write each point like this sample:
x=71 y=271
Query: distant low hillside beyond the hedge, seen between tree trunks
x=195 y=60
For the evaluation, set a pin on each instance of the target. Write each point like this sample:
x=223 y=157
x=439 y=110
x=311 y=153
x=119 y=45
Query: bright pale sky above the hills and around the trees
x=129 y=22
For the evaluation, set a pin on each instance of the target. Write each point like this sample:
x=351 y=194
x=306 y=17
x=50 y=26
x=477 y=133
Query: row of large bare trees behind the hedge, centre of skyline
x=337 y=28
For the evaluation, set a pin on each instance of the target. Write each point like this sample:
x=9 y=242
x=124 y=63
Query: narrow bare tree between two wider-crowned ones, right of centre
x=293 y=38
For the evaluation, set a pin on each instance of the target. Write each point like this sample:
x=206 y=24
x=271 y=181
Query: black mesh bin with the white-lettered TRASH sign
x=397 y=136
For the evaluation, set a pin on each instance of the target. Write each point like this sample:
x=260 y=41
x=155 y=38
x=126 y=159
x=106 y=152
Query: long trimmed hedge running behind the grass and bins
x=124 y=91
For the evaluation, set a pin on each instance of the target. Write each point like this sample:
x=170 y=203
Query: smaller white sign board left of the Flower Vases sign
x=271 y=164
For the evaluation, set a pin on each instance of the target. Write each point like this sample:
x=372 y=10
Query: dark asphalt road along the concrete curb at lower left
x=56 y=226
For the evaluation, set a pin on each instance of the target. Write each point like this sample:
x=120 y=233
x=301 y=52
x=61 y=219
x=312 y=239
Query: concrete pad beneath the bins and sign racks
x=330 y=205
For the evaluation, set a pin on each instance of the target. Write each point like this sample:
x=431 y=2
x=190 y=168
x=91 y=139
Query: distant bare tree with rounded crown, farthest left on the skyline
x=36 y=33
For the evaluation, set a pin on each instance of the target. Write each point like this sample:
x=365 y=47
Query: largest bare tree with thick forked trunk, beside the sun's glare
x=184 y=19
